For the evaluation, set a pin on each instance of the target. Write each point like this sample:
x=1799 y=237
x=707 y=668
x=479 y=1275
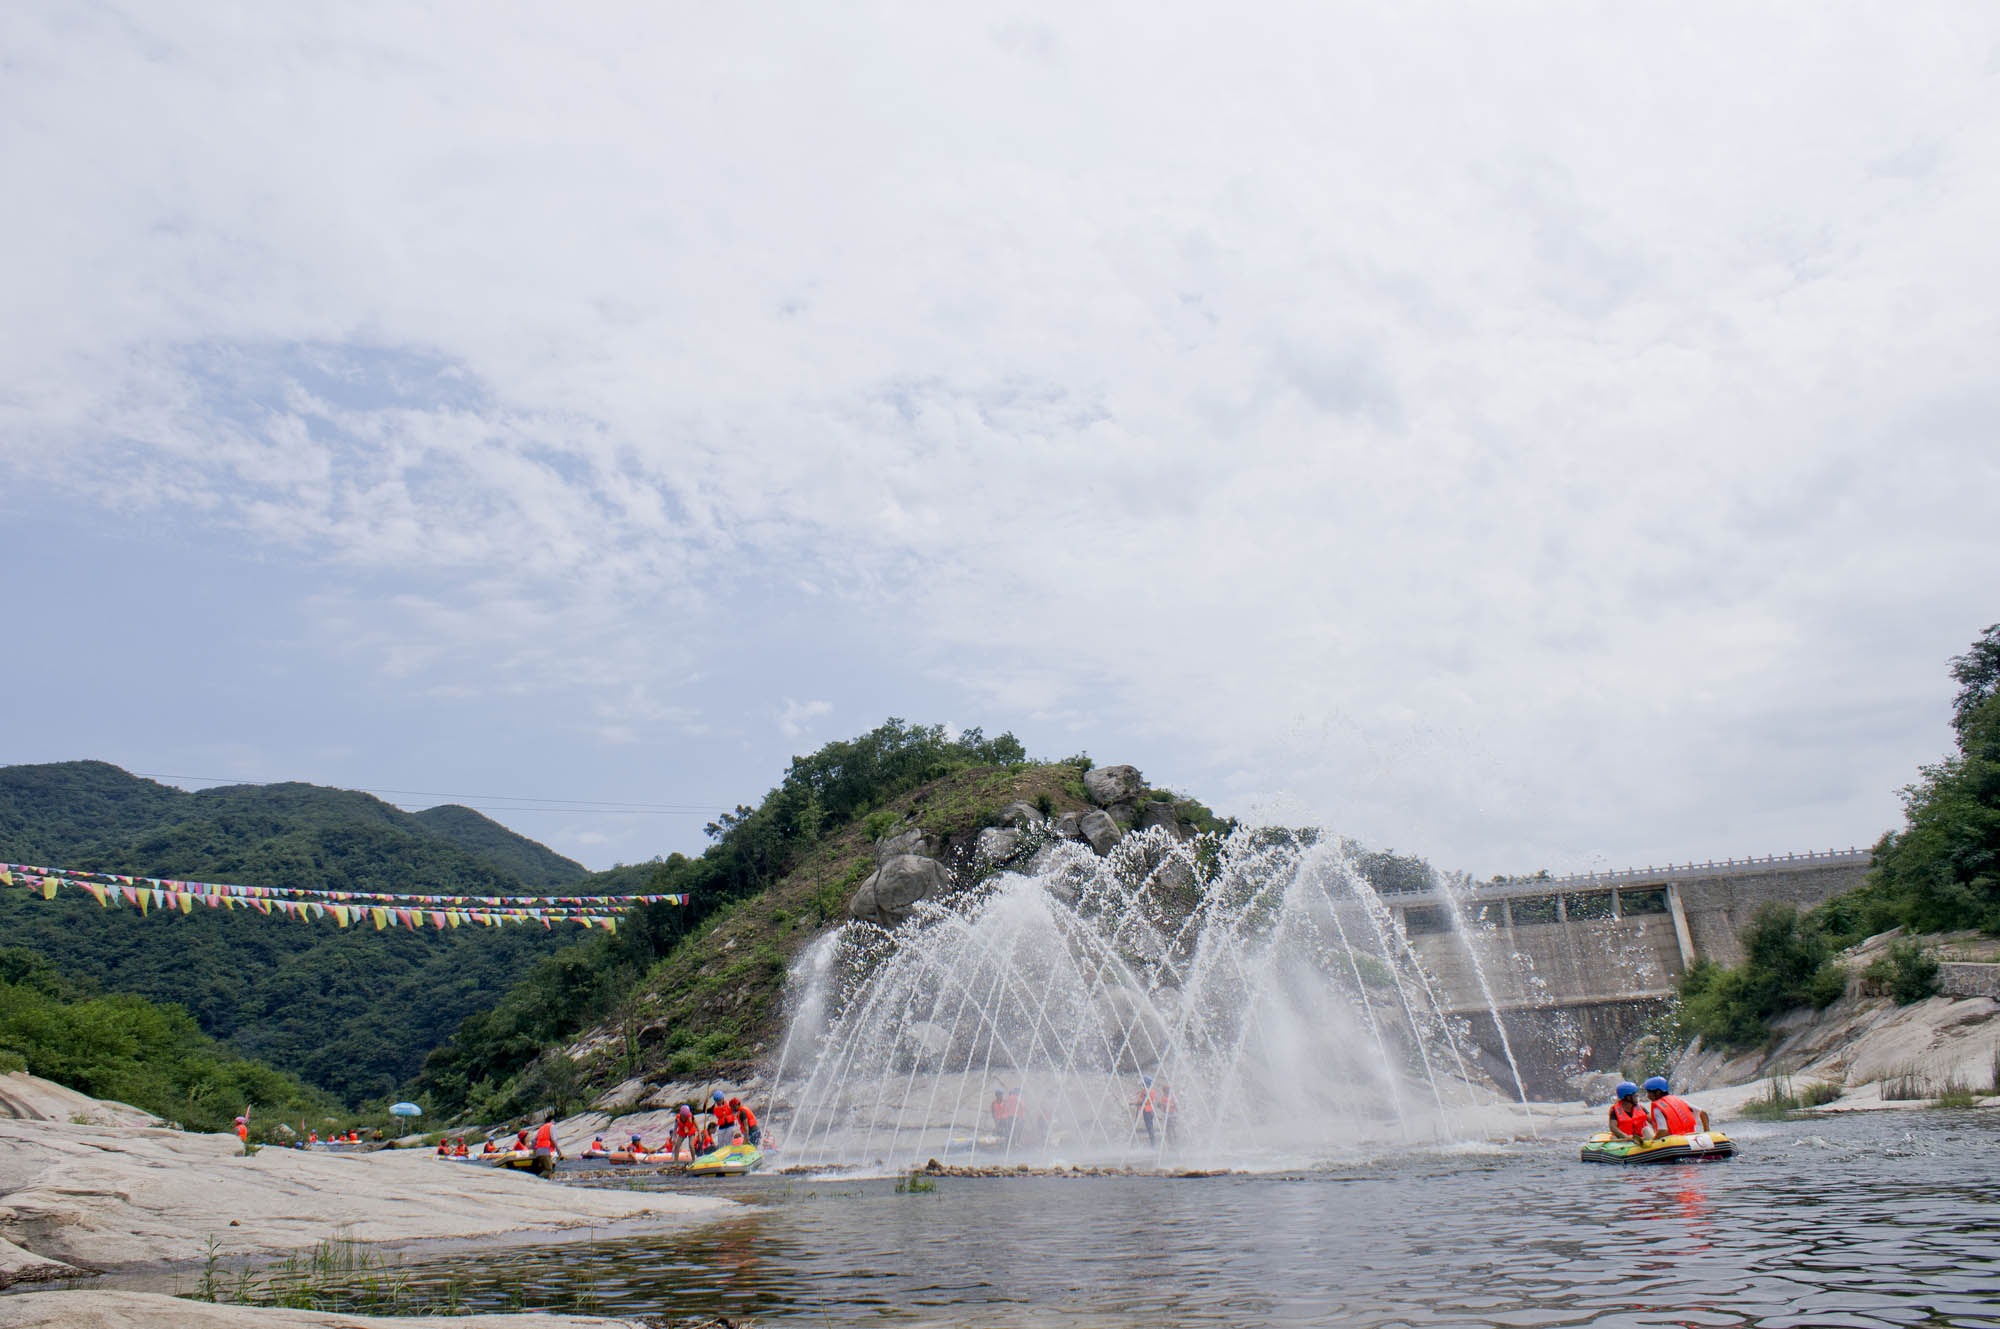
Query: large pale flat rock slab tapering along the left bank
x=109 y=1198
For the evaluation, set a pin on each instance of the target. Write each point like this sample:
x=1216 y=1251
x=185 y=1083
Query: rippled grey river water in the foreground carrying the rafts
x=1881 y=1220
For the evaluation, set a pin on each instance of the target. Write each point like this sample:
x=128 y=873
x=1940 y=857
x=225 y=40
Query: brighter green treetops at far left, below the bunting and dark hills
x=135 y=1052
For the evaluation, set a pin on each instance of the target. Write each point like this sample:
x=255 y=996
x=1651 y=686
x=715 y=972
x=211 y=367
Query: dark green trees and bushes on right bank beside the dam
x=1941 y=874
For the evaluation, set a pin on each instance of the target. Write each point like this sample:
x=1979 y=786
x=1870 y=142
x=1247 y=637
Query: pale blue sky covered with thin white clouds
x=1527 y=435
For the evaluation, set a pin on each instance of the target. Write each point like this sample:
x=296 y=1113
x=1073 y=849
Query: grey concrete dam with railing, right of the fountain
x=1575 y=966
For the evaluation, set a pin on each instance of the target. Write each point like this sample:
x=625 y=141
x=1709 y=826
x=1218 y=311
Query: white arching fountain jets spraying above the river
x=1243 y=1002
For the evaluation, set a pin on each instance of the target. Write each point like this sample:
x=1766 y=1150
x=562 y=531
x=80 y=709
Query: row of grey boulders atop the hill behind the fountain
x=913 y=866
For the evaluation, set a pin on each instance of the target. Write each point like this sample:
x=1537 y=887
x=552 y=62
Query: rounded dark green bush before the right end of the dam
x=1787 y=966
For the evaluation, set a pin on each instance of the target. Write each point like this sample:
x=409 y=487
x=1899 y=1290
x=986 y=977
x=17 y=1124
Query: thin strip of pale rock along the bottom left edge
x=111 y=1310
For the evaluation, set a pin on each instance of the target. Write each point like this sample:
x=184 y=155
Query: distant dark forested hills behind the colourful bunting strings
x=351 y=1012
